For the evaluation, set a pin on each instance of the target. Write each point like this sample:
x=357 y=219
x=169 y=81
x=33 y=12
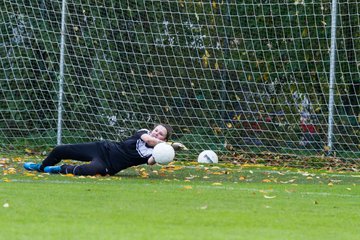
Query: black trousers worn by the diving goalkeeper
x=85 y=152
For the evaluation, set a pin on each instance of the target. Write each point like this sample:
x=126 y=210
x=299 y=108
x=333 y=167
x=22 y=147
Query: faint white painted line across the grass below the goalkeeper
x=237 y=188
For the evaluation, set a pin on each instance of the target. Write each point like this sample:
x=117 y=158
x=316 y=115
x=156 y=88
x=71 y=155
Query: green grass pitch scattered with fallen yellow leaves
x=183 y=201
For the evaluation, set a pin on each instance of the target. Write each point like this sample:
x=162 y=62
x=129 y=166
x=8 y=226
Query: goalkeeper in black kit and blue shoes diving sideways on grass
x=105 y=157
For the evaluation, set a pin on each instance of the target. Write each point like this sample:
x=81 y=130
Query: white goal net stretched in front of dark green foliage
x=239 y=77
